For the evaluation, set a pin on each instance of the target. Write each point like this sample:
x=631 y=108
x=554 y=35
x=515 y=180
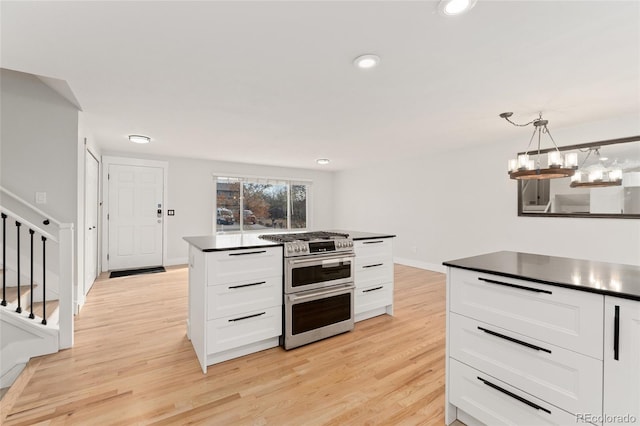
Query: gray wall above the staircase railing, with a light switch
x=39 y=144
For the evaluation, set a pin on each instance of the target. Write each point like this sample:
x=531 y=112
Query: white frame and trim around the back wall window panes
x=258 y=179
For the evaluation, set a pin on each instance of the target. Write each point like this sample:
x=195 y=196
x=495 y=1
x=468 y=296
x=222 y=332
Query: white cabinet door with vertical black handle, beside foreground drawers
x=621 y=361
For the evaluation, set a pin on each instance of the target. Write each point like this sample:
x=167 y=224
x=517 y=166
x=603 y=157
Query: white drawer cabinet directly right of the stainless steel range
x=373 y=278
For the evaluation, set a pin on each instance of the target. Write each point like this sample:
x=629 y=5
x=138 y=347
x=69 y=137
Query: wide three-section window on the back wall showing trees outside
x=254 y=204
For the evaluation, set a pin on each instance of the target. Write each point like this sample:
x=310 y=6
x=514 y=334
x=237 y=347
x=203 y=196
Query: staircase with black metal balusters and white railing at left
x=36 y=313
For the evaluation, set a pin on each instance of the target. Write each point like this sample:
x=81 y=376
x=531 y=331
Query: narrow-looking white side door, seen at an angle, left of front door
x=91 y=221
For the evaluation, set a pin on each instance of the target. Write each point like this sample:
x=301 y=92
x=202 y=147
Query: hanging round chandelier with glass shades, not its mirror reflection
x=525 y=167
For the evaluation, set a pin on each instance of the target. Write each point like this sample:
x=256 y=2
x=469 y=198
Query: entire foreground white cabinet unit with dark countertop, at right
x=534 y=339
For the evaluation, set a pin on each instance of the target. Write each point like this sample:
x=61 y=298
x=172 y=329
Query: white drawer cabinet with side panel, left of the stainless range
x=235 y=302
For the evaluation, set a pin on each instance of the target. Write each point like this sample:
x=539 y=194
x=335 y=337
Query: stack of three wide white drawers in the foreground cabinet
x=521 y=352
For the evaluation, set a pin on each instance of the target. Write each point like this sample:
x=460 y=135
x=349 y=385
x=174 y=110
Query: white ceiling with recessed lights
x=272 y=82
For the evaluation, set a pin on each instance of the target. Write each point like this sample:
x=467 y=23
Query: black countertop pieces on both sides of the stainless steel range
x=245 y=241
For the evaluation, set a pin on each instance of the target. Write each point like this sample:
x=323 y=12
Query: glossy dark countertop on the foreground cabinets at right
x=585 y=275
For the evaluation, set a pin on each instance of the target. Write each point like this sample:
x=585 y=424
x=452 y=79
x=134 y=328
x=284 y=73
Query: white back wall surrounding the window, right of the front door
x=191 y=194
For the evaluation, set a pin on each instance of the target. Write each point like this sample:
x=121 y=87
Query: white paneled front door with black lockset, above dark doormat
x=135 y=216
